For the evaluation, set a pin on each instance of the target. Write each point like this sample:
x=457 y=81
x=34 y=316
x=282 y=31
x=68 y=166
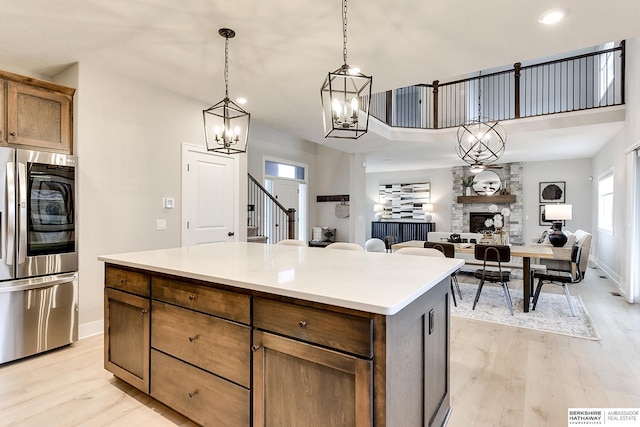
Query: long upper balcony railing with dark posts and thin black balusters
x=582 y=82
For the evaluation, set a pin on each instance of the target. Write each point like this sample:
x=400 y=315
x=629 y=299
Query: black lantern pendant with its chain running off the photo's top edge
x=346 y=97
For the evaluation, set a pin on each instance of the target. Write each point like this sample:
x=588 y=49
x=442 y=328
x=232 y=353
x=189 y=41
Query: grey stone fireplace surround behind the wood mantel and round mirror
x=511 y=177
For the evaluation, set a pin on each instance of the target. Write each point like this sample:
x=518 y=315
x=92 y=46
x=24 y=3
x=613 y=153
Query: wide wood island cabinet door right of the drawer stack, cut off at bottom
x=298 y=384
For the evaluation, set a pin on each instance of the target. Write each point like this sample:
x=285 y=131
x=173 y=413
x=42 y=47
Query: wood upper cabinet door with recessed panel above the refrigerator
x=38 y=118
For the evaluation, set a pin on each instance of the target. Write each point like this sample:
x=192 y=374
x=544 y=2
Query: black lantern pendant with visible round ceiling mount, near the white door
x=226 y=125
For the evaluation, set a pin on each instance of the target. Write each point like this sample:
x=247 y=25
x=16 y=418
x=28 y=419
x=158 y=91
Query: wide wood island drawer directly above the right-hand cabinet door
x=336 y=330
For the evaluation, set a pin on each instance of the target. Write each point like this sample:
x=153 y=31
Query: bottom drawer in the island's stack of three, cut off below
x=198 y=395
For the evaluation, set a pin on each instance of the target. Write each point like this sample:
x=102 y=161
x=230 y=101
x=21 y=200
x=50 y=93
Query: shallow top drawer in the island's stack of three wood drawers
x=230 y=305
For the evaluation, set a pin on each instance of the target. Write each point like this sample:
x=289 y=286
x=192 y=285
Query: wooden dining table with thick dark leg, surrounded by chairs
x=526 y=252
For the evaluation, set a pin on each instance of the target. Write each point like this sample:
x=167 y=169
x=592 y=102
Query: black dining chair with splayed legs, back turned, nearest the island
x=496 y=254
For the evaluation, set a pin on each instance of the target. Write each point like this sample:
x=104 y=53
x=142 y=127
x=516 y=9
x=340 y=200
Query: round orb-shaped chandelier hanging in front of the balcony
x=480 y=142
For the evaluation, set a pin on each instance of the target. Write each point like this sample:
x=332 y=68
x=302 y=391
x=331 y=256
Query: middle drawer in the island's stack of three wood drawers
x=213 y=344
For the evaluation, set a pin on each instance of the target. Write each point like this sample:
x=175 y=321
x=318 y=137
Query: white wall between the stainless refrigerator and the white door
x=128 y=140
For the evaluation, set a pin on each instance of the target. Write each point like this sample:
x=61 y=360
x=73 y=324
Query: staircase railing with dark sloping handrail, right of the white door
x=267 y=215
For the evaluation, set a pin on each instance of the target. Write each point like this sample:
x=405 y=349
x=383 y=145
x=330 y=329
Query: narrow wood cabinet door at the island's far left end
x=126 y=337
